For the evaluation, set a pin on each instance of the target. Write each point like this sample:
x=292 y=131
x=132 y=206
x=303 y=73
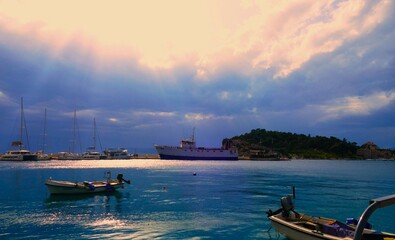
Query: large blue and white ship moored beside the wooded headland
x=187 y=150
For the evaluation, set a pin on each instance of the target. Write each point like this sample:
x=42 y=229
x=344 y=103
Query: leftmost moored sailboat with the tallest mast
x=19 y=154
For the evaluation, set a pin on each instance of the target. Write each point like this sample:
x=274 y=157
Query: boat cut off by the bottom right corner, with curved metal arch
x=296 y=226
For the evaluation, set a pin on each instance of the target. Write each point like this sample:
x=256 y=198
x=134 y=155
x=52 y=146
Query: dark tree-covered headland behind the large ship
x=260 y=144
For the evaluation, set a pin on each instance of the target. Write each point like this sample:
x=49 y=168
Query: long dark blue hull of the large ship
x=178 y=153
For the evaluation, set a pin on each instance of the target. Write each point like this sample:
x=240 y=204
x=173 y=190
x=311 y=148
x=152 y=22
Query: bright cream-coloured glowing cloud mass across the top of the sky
x=255 y=36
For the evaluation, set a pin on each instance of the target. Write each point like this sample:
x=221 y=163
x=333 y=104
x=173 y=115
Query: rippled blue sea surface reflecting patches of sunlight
x=224 y=200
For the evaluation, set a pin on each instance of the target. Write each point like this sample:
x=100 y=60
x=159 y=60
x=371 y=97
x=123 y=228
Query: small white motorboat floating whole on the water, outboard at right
x=67 y=187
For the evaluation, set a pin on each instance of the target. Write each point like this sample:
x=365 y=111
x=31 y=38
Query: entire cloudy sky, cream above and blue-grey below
x=149 y=72
